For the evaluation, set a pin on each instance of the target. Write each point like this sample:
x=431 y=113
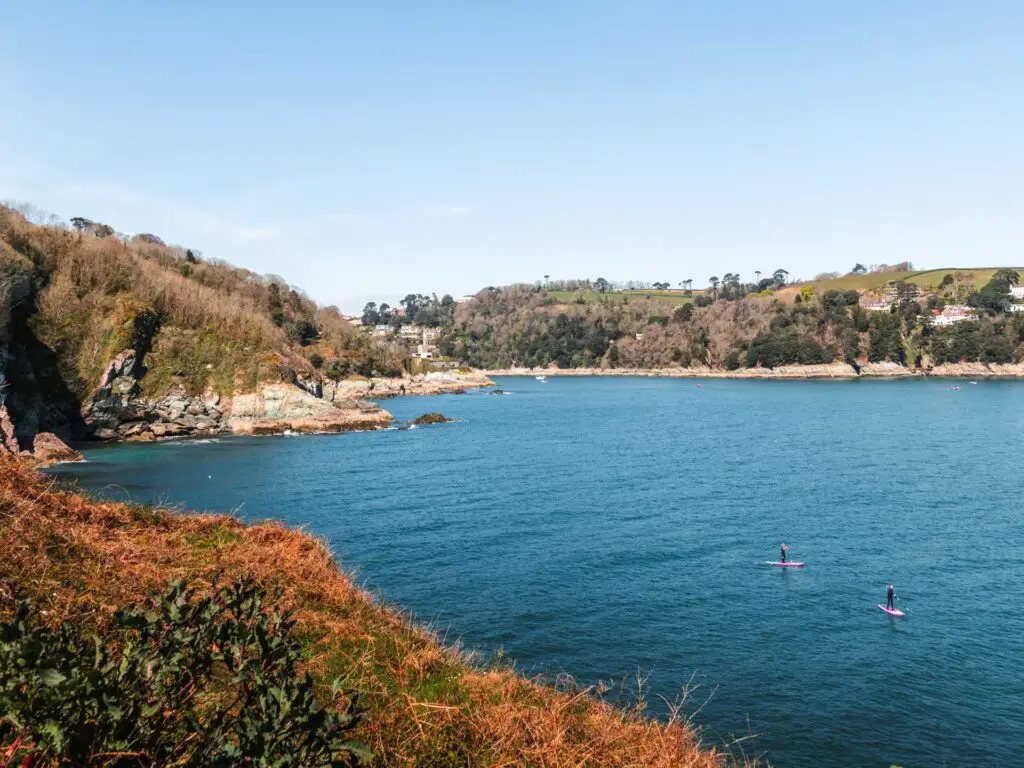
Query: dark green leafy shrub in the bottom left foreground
x=193 y=681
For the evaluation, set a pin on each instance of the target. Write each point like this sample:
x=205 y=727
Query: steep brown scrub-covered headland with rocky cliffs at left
x=111 y=337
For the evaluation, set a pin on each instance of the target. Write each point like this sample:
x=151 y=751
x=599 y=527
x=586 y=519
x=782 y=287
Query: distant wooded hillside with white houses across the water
x=877 y=318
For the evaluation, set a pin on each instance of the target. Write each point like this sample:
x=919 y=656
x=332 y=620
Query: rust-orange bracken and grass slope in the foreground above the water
x=428 y=705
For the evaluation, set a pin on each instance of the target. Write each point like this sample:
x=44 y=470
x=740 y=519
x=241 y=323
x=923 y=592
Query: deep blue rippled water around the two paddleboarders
x=595 y=527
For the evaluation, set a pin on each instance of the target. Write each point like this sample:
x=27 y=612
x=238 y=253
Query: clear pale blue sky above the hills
x=366 y=151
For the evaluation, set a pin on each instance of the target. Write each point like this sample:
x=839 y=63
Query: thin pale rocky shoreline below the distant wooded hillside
x=841 y=371
